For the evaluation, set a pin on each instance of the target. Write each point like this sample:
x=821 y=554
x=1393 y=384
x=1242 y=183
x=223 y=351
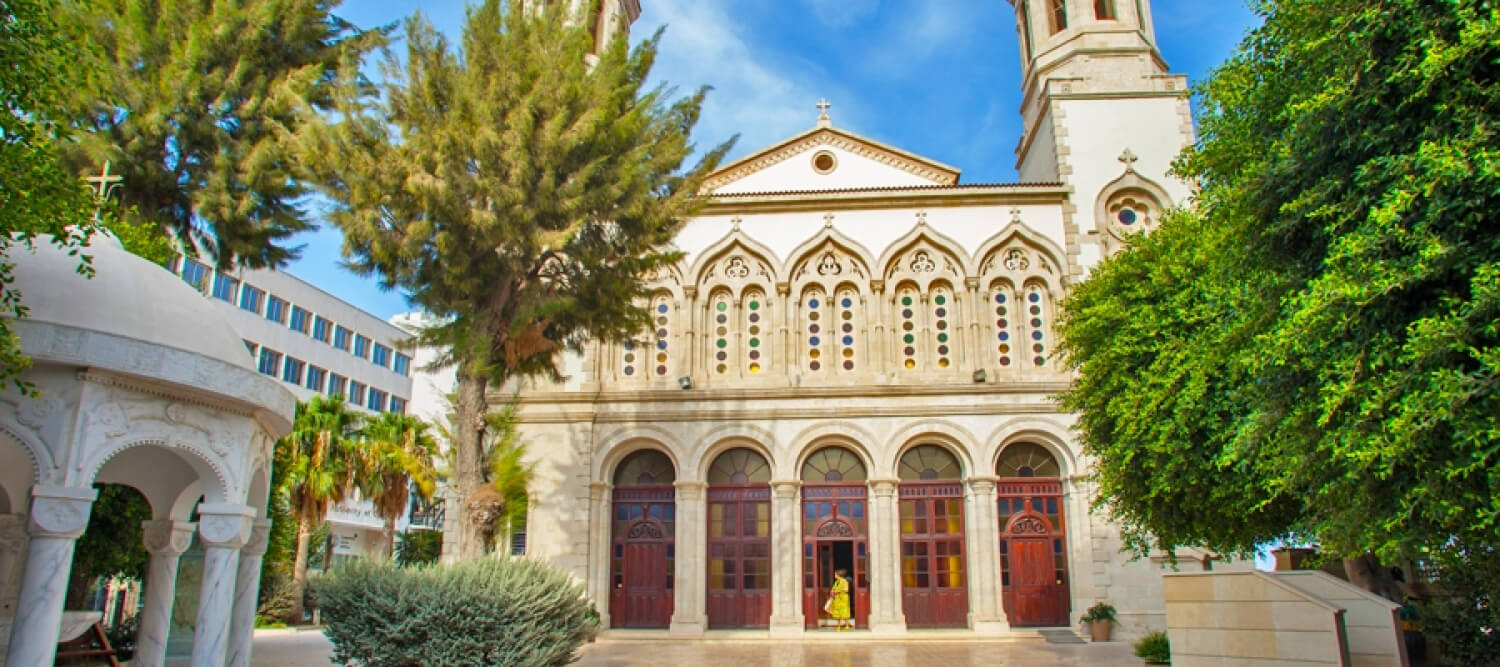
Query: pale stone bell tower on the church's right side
x=1102 y=115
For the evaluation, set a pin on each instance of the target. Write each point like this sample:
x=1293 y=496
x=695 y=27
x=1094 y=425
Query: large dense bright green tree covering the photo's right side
x=1312 y=351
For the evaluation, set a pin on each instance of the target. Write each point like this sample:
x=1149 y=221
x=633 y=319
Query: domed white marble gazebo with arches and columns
x=137 y=383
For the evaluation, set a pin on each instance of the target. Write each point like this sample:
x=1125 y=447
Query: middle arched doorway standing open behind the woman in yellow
x=835 y=533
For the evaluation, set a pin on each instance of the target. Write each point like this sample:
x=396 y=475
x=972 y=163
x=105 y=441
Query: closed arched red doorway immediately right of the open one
x=934 y=585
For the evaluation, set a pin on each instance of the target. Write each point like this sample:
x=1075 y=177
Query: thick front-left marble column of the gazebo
x=59 y=515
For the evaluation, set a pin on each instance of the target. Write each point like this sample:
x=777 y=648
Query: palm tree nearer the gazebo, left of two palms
x=325 y=462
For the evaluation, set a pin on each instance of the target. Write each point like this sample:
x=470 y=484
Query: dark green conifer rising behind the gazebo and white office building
x=196 y=103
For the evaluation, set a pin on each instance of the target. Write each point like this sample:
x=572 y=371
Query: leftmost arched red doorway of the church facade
x=643 y=551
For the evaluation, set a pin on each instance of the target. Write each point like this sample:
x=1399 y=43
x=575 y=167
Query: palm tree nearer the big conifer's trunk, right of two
x=397 y=459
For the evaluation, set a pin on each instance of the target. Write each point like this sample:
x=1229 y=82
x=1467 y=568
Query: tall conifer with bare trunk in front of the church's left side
x=517 y=191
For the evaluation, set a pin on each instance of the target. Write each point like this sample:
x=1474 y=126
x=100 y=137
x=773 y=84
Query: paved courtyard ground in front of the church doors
x=311 y=650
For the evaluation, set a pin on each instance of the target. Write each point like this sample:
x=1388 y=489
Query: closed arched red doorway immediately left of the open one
x=740 y=540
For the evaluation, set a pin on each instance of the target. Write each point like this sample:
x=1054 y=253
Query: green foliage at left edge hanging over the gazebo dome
x=38 y=194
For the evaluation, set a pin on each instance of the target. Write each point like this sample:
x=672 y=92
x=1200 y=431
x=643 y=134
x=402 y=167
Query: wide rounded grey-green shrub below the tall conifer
x=512 y=612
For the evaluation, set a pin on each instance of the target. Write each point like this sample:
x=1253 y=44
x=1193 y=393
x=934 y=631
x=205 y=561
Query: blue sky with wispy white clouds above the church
x=940 y=79
